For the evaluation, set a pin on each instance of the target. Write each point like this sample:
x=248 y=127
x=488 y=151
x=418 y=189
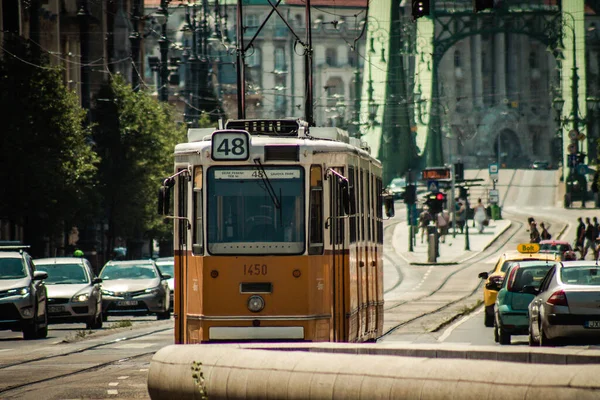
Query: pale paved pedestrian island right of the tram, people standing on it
x=451 y=252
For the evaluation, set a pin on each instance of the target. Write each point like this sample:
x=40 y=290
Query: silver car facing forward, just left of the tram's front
x=135 y=288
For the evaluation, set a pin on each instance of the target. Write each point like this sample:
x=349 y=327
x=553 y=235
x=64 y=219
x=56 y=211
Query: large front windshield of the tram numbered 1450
x=245 y=218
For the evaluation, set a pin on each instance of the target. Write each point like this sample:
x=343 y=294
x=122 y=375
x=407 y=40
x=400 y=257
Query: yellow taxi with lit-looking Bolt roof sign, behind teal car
x=494 y=278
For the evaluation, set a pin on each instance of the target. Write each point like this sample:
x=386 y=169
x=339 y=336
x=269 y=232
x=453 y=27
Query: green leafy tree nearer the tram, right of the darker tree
x=135 y=137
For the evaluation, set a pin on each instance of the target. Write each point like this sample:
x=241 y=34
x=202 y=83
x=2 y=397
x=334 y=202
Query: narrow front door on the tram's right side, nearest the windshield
x=337 y=186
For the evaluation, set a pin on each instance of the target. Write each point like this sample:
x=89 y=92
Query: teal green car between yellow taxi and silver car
x=511 y=315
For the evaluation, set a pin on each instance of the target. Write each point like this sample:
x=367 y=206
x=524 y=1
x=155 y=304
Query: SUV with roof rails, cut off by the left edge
x=23 y=296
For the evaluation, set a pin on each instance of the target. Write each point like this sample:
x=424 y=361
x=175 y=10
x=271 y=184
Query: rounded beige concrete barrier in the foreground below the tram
x=231 y=372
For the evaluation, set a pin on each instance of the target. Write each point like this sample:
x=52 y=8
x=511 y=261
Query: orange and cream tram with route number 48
x=278 y=234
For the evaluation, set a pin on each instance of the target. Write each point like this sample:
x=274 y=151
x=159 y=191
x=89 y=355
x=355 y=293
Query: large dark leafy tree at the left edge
x=47 y=162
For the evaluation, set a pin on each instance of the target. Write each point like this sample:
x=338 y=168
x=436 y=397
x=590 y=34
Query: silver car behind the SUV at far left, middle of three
x=73 y=291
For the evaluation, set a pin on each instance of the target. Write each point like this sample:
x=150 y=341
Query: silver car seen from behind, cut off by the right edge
x=567 y=304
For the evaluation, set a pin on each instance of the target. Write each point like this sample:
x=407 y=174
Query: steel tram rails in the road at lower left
x=76 y=370
